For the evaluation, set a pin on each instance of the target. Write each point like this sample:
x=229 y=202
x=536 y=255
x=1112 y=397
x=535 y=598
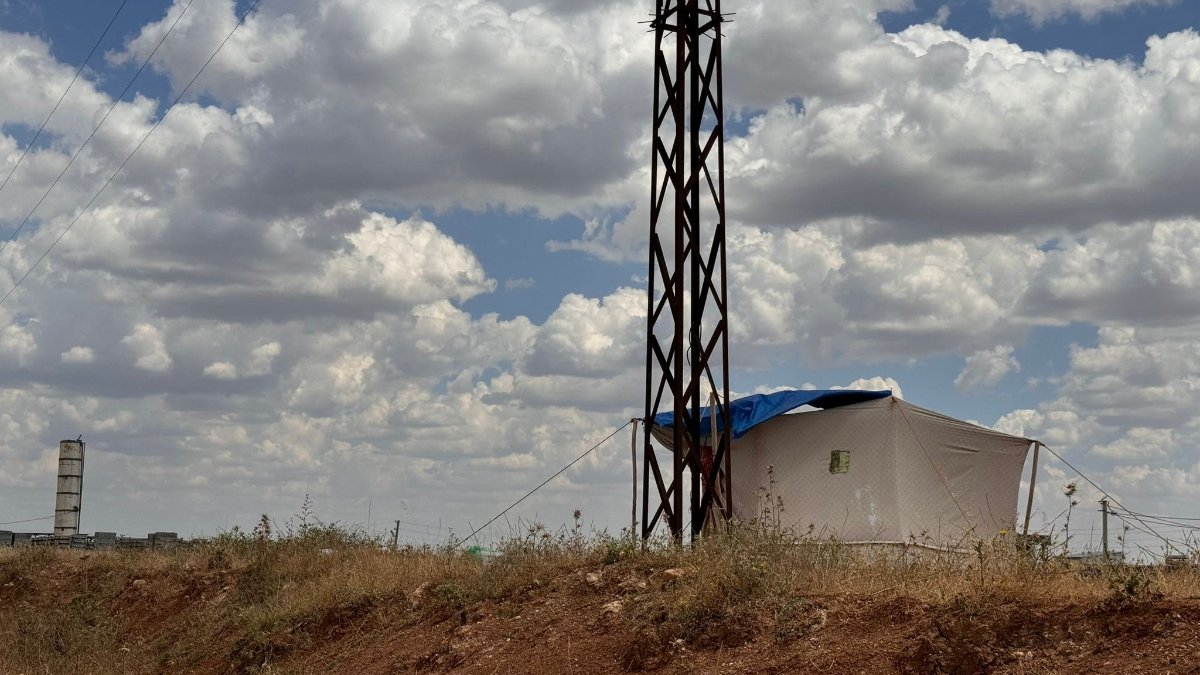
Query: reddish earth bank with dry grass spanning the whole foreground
x=374 y=613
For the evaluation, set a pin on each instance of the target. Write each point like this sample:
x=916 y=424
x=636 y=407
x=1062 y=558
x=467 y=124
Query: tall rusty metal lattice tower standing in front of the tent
x=688 y=321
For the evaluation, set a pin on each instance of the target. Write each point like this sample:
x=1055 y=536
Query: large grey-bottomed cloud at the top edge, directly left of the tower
x=539 y=122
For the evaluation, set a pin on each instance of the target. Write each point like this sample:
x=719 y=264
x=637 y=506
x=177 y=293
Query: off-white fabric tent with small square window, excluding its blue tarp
x=878 y=471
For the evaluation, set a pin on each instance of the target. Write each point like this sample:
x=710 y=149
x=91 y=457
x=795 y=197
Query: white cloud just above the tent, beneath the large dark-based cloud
x=829 y=292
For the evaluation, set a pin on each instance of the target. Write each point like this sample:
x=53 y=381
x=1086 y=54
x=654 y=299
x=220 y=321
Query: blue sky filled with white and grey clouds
x=391 y=254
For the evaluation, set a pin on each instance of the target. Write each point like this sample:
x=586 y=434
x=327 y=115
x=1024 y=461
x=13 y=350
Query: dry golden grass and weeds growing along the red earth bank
x=242 y=604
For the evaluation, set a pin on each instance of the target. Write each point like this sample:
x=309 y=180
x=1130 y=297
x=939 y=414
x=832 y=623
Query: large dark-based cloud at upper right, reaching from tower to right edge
x=929 y=132
